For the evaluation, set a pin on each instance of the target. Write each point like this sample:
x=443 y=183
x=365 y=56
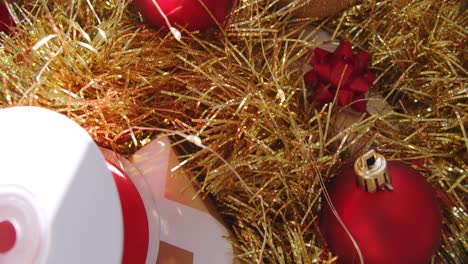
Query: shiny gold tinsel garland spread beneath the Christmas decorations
x=241 y=91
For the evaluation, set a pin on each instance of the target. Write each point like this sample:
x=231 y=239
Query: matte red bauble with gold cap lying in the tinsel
x=388 y=208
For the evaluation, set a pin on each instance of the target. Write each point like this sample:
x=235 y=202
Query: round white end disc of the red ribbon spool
x=56 y=191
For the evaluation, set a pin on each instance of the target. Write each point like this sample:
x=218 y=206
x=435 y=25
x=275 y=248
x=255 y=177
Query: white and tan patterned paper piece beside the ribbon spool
x=190 y=232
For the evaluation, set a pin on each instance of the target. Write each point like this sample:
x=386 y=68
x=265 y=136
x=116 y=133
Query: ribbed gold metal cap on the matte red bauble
x=372 y=173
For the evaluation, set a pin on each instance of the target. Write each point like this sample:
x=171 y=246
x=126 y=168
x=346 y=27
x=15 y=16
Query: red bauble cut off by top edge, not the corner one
x=190 y=14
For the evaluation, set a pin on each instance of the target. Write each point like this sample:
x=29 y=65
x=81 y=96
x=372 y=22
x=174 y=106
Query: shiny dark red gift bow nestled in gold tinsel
x=341 y=73
